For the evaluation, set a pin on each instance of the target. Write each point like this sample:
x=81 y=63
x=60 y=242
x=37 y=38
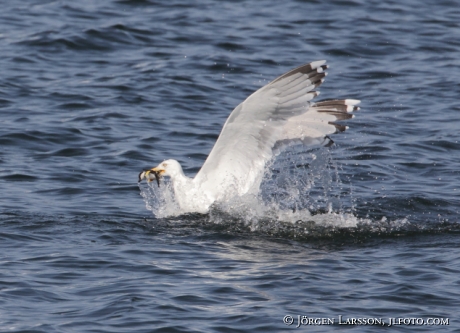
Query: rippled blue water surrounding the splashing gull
x=92 y=93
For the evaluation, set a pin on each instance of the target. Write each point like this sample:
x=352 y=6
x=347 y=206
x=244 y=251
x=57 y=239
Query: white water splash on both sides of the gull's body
x=298 y=185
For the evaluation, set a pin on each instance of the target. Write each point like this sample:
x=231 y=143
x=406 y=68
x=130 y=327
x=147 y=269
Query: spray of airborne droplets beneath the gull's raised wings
x=300 y=179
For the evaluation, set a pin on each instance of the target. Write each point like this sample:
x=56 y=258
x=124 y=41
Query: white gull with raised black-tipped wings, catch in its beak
x=279 y=114
